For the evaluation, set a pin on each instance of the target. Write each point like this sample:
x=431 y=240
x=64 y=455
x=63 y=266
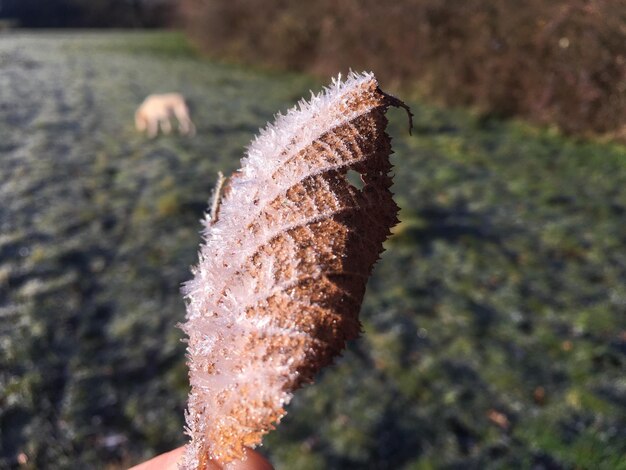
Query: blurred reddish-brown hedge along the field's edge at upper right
x=558 y=61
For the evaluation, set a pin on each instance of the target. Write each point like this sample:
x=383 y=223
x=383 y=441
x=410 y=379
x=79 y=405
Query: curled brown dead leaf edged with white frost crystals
x=289 y=246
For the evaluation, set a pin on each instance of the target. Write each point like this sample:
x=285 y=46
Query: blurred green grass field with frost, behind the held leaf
x=495 y=324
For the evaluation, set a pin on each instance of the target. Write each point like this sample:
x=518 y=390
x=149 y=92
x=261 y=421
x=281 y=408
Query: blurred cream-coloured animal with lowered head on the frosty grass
x=157 y=110
